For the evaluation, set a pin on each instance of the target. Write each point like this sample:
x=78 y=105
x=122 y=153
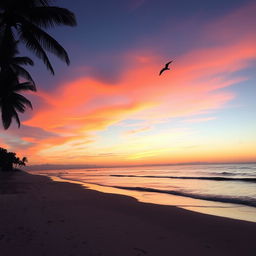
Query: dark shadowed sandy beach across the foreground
x=41 y=217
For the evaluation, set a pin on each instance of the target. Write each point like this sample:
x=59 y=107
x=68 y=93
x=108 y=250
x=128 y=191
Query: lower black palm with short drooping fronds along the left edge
x=11 y=102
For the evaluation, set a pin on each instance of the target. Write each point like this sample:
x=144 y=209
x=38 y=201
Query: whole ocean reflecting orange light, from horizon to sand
x=227 y=190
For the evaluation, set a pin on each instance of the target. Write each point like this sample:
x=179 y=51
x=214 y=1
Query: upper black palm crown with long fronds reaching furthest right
x=27 y=20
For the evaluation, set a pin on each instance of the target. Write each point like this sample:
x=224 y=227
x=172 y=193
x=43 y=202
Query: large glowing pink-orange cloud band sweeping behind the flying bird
x=192 y=87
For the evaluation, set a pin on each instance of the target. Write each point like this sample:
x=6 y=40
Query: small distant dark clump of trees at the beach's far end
x=9 y=160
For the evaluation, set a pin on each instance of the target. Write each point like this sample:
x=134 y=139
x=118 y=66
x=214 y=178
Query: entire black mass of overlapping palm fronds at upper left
x=25 y=21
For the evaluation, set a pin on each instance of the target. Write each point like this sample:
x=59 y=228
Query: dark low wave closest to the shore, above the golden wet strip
x=241 y=200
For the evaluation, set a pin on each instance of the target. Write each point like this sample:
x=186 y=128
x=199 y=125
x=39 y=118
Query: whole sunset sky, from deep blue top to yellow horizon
x=111 y=107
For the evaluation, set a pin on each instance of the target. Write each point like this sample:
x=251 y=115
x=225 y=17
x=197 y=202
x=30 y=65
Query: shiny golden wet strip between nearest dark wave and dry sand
x=221 y=209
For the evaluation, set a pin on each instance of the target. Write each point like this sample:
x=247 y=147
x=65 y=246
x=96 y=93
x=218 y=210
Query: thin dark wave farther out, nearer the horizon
x=217 y=178
